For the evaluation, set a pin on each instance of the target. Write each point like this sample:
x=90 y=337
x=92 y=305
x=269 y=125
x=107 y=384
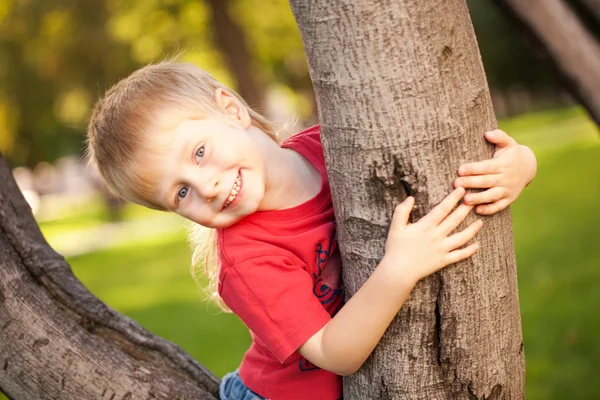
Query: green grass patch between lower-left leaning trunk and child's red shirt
x=151 y=283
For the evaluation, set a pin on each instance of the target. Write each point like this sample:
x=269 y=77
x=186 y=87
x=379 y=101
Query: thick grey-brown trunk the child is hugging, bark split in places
x=403 y=101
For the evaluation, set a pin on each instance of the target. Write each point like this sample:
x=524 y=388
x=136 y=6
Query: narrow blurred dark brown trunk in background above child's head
x=233 y=43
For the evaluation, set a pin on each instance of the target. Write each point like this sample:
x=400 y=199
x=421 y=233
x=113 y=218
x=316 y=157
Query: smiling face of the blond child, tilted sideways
x=210 y=172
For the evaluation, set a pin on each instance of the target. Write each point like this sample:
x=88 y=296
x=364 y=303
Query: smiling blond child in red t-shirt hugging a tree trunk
x=170 y=137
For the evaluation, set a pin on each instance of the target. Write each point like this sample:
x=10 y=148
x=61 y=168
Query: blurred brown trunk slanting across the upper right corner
x=560 y=37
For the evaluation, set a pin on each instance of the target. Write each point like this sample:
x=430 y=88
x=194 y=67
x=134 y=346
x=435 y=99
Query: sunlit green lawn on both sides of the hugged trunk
x=556 y=224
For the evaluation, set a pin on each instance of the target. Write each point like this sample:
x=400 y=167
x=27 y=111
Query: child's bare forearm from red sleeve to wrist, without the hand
x=350 y=337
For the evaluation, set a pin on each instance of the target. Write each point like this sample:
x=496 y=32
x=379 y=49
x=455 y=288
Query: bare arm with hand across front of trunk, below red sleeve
x=412 y=252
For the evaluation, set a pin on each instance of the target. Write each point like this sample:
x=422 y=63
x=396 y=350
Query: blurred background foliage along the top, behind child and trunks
x=58 y=56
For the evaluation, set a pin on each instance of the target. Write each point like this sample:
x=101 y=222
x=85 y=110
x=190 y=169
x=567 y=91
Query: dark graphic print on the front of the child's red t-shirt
x=327 y=283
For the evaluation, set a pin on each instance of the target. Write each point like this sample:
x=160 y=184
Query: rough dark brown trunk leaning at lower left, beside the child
x=58 y=341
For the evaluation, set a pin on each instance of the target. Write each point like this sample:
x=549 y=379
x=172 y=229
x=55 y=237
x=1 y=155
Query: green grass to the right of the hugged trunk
x=557 y=227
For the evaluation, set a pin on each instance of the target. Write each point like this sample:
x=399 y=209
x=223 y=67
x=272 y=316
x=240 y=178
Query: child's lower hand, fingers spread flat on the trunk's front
x=426 y=246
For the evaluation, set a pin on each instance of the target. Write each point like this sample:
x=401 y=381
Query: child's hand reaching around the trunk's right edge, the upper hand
x=505 y=175
